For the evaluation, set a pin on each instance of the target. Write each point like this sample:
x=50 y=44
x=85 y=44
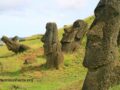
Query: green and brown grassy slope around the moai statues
x=71 y=77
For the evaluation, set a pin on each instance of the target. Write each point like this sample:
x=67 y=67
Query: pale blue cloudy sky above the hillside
x=29 y=17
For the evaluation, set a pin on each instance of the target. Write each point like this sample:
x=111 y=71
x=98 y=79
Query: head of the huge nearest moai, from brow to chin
x=102 y=38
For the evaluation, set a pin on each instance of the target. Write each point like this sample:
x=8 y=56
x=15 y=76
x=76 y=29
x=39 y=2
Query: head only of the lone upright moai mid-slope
x=50 y=37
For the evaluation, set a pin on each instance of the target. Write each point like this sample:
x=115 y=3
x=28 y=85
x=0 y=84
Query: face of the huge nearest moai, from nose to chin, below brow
x=94 y=53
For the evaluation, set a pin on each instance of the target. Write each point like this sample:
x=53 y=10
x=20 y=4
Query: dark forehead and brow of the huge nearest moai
x=108 y=9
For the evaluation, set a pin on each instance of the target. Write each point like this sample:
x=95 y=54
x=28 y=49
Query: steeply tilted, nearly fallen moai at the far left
x=14 y=46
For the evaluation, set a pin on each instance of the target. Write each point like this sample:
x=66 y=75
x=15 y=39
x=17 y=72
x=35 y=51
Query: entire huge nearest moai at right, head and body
x=102 y=55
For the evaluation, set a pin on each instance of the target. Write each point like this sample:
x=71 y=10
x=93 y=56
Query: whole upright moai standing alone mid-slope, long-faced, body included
x=52 y=47
